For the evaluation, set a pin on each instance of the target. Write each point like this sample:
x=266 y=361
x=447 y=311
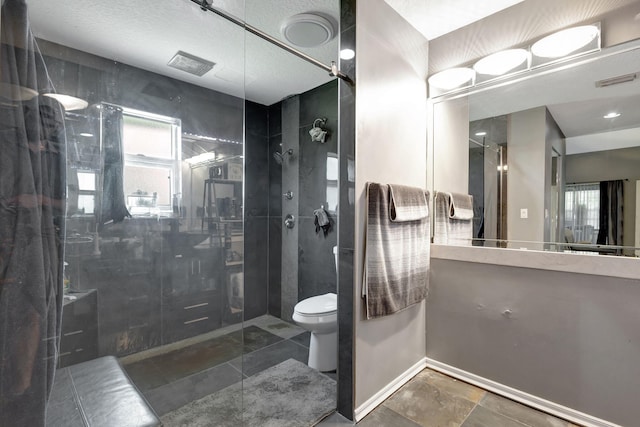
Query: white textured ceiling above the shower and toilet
x=148 y=34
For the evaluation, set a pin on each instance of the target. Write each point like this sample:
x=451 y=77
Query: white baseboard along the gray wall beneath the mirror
x=520 y=396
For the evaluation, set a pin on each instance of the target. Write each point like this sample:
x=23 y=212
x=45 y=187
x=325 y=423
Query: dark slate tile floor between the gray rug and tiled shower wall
x=172 y=379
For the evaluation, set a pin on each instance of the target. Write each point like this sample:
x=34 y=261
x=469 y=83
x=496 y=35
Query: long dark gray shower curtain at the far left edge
x=32 y=203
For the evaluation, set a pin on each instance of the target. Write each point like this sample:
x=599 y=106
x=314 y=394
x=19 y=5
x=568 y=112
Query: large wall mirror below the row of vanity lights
x=551 y=155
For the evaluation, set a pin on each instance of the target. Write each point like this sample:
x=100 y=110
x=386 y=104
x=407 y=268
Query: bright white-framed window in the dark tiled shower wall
x=152 y=147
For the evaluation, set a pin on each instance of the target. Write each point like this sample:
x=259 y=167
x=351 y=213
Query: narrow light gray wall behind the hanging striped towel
x=390 y=148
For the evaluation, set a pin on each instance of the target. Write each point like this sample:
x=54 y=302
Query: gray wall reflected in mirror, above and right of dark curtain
x=610 y=165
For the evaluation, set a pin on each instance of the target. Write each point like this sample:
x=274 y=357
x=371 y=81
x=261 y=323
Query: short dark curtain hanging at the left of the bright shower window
x=113 y=205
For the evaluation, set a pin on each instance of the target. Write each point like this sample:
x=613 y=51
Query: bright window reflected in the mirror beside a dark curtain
x=582 y=211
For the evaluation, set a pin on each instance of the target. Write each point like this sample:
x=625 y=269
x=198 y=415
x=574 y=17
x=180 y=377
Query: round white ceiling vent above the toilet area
x=307 y=30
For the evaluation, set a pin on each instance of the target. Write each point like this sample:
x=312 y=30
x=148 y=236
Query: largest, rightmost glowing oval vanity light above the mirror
x=565 y=42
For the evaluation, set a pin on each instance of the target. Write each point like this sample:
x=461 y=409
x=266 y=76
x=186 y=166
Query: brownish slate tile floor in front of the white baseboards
x=432 y=399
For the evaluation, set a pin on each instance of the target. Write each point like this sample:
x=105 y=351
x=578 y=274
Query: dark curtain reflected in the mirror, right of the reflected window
x=611 y=205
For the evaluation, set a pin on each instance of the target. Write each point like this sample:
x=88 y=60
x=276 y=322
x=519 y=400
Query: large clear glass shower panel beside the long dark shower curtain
x=154 y=252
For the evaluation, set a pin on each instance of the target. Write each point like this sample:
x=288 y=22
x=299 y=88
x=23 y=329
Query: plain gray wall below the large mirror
x=572 y=339
